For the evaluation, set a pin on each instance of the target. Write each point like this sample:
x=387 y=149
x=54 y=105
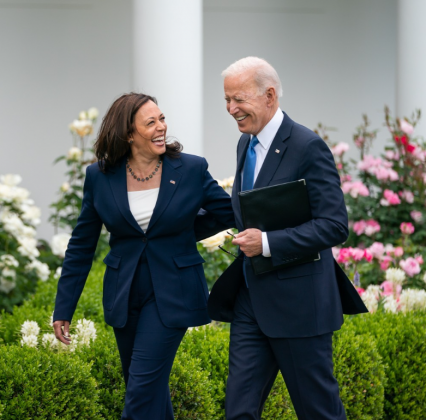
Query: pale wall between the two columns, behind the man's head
x=336 y=60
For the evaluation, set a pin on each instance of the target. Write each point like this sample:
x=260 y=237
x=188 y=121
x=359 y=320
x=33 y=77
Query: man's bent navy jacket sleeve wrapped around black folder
x=329 y=224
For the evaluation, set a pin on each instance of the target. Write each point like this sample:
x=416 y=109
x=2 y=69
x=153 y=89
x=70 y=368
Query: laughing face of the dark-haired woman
x=149 y=136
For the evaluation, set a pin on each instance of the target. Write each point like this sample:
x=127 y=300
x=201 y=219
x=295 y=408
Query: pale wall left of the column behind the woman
x=57 y=58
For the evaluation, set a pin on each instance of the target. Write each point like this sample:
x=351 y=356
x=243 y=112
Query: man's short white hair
x=265 y=75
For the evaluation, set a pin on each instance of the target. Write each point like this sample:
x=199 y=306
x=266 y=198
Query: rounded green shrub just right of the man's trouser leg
x=360 y=373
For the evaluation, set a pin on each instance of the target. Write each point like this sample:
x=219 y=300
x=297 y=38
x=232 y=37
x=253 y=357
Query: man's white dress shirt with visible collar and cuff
x=265 y=138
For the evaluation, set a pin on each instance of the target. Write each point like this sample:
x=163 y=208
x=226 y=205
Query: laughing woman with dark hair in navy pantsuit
x=147 y=194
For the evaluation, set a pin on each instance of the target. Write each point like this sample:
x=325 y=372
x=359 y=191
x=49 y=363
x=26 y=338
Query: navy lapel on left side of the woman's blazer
x=118 y=182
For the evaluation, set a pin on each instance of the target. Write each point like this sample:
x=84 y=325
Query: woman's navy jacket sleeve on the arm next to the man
x=216 y=213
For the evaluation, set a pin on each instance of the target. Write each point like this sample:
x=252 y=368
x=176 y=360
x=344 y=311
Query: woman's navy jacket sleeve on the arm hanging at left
x=79 y=256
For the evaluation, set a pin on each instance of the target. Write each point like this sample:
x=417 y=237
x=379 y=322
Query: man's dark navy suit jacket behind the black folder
x=302 y=300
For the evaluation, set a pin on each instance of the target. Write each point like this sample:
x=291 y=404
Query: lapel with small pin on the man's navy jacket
x=275 y=153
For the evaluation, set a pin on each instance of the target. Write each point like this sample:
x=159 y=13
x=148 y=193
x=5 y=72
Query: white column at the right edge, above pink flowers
x=411 y=70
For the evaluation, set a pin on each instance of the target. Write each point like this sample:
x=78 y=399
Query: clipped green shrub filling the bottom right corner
x=401 y=341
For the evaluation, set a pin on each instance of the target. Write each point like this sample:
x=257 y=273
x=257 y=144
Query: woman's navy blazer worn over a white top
x=169 y=242
